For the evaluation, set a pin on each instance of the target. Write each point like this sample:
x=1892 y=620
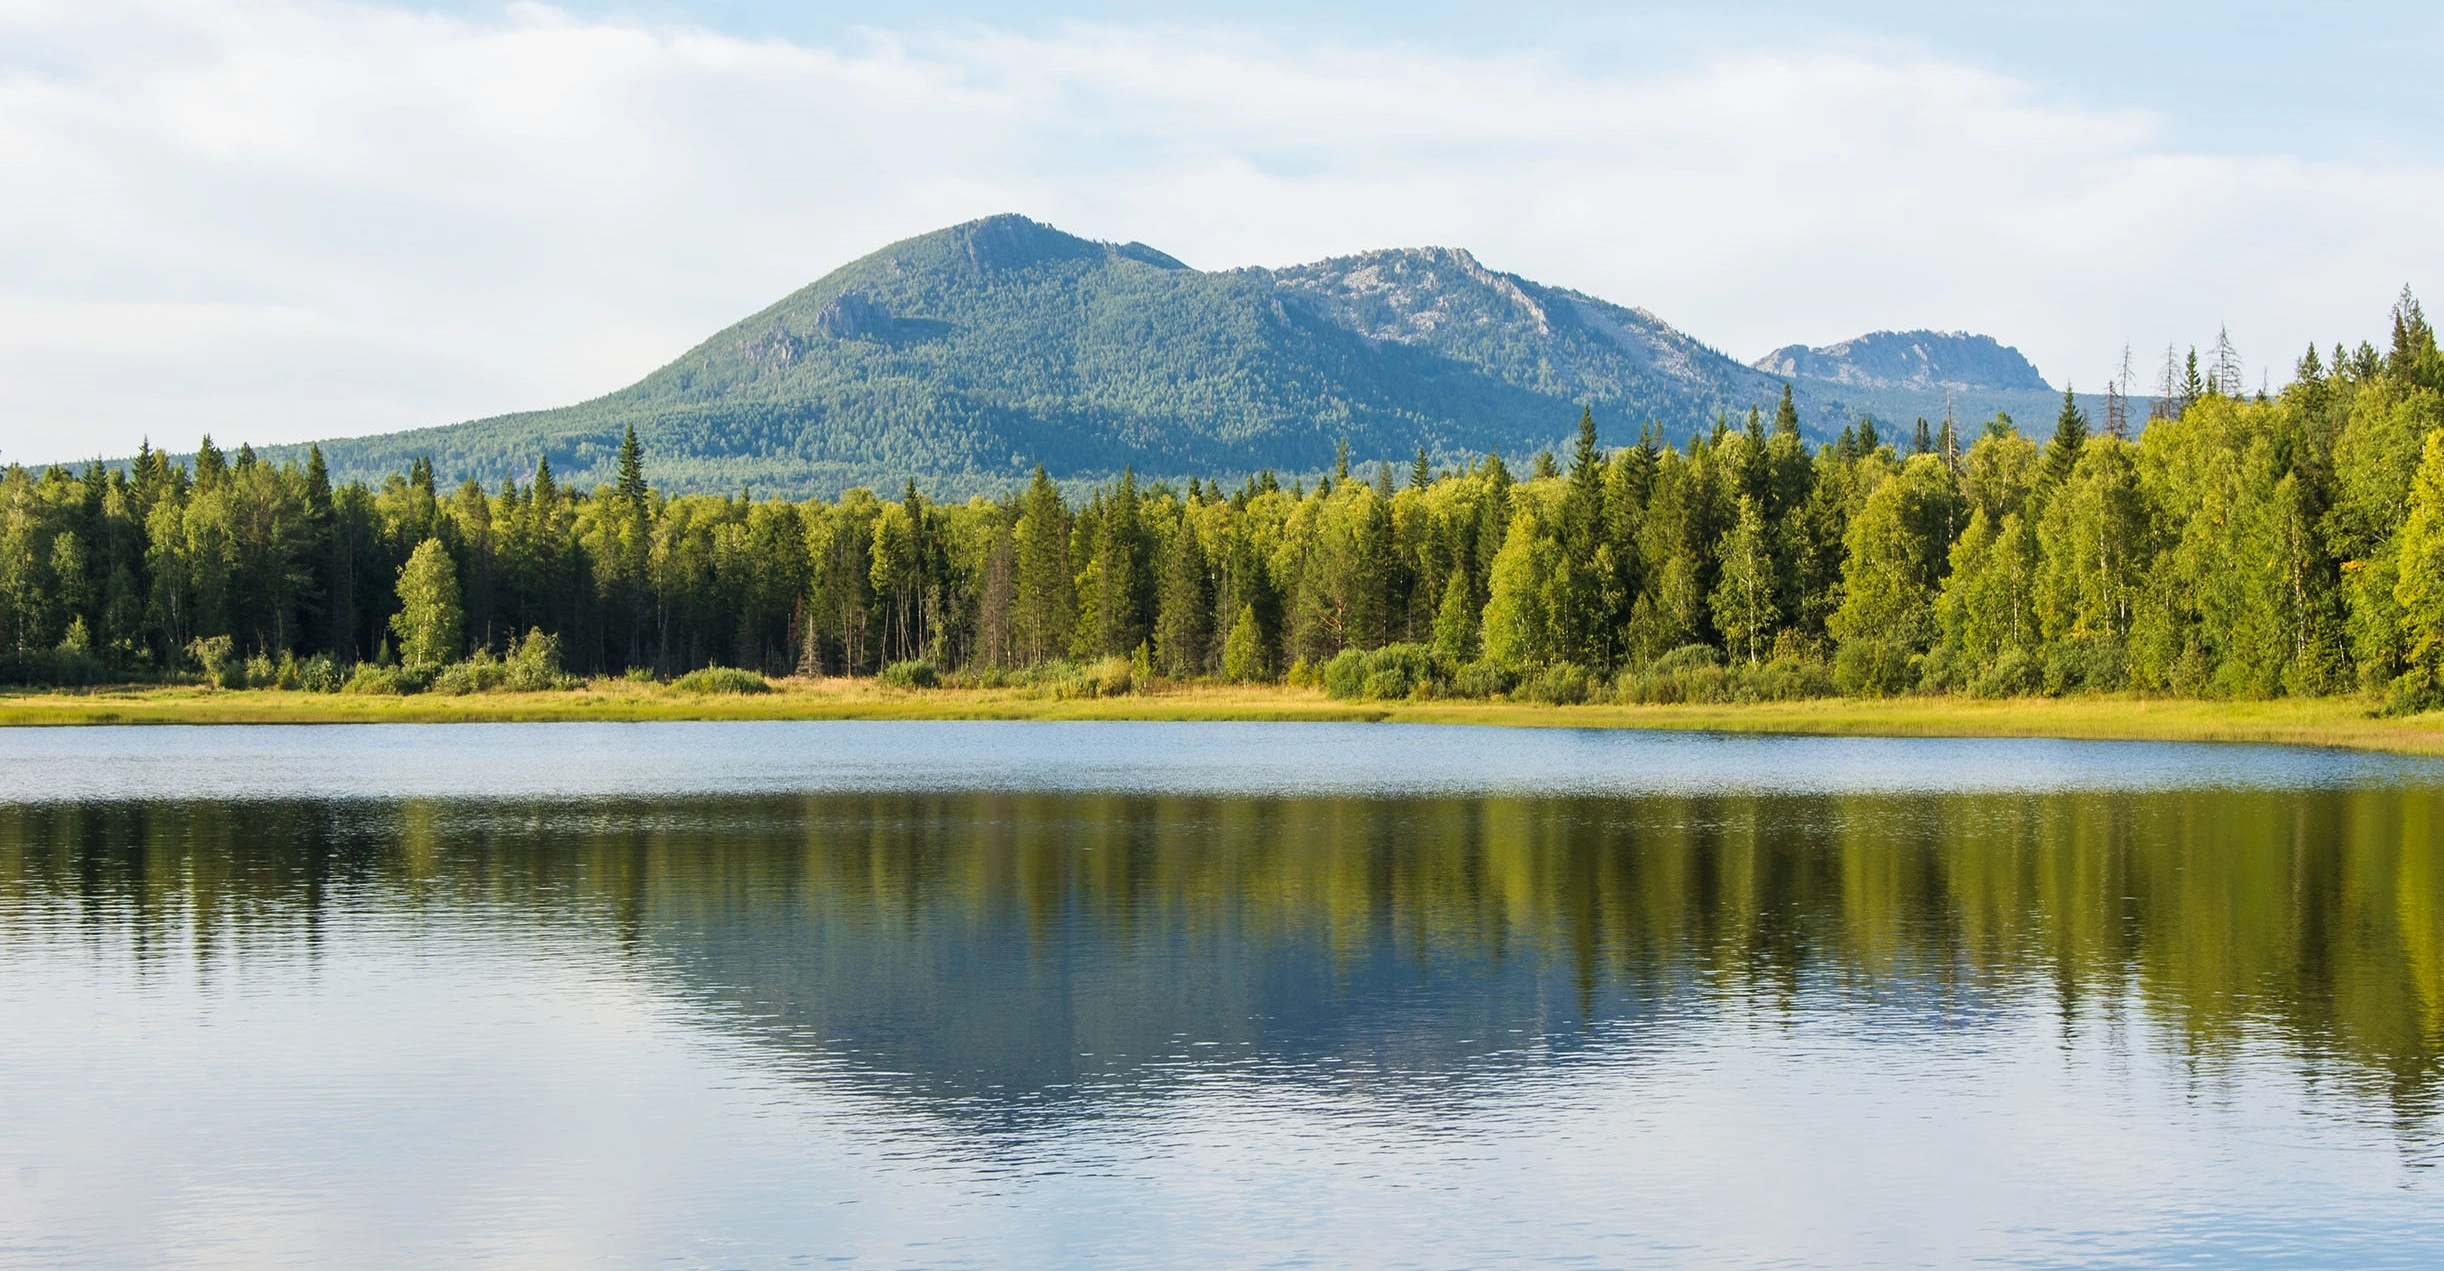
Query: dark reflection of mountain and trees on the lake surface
x=1003 y=952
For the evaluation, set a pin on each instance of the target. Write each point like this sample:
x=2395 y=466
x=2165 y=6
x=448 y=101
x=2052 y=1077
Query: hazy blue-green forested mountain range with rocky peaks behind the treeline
x=971 y=356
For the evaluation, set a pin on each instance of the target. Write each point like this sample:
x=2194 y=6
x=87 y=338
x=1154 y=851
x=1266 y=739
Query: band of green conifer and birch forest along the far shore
x=2228 y=544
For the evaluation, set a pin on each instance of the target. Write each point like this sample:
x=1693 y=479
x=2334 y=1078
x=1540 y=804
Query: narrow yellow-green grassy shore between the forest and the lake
x=2318 y=722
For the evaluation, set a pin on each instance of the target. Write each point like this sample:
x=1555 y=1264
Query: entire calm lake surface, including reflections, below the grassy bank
x=1211 y=996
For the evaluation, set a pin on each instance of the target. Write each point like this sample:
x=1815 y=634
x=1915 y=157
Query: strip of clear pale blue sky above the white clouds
x=2240 y=75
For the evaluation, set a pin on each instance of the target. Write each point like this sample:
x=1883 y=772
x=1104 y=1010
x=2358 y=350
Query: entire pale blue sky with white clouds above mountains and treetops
x=304 y=219
